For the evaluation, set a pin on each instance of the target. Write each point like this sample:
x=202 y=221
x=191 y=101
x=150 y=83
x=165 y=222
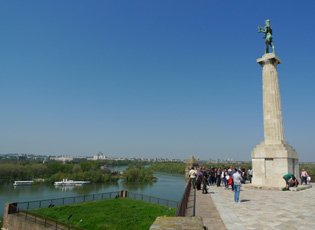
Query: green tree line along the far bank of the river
x=99 y=172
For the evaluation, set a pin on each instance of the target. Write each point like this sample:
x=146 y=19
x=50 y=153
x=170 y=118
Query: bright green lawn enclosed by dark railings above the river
x=108 y=214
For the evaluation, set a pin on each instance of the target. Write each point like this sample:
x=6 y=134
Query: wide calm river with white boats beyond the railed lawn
x=168 y=186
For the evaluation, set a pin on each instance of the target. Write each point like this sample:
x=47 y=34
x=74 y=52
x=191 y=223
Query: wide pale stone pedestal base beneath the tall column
x=271 y=161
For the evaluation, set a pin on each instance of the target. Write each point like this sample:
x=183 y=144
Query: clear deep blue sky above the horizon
x=151 y=78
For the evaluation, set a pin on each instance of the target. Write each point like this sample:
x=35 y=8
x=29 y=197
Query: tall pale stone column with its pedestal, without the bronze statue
x=273 y=157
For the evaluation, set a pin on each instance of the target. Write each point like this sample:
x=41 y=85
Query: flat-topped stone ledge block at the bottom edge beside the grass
x=180 y=223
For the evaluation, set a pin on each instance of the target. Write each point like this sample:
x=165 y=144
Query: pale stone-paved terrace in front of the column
x=265 y=209
